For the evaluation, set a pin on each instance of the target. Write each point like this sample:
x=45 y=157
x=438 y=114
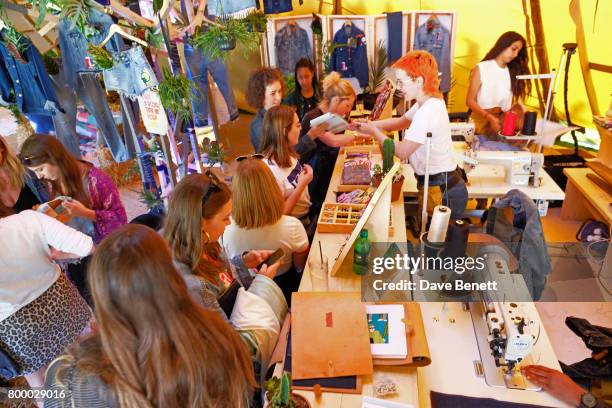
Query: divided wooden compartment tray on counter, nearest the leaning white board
x=341 y=218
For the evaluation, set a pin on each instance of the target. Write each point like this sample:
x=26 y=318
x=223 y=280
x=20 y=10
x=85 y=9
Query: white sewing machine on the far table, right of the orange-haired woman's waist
x=522 y=168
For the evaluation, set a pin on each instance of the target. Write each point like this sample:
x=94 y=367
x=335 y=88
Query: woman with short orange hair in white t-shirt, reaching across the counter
x=417 y=79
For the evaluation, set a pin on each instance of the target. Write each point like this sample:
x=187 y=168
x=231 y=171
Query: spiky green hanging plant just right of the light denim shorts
x=175 y=93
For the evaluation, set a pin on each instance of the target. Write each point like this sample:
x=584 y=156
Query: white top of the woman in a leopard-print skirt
x=26 y=271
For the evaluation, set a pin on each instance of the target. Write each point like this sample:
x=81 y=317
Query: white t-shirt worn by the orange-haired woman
x=431 y=117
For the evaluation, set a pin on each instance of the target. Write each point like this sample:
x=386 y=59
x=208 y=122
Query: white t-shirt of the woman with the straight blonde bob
x=287 y=233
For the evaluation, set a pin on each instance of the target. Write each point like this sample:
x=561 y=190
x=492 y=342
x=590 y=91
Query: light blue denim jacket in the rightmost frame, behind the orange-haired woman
x=437 y=43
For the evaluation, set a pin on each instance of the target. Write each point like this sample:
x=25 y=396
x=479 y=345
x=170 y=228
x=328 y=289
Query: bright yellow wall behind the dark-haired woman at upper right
x=480 y=22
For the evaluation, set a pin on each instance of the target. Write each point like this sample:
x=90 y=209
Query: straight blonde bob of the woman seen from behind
x=258 y=200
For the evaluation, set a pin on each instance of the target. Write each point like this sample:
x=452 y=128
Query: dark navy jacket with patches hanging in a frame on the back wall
x=350 y=60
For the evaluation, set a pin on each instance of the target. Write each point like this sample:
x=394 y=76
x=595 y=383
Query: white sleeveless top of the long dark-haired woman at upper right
x=495 y=88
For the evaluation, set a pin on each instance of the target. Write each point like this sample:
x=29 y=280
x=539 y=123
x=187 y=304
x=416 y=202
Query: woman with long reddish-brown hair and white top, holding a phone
x=280 y=134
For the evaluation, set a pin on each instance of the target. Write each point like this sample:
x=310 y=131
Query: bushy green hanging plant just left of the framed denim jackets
x=216 y=39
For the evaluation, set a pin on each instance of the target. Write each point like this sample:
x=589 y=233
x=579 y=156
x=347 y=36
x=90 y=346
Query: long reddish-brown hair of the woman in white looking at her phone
x=274 y=143
